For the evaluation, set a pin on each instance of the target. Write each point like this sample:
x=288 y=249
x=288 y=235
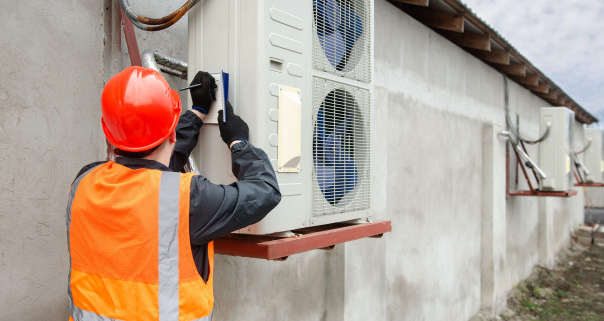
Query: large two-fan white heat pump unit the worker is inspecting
x=301 y=75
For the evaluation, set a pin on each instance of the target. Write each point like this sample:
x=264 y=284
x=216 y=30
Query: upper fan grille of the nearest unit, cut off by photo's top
x=341 y=32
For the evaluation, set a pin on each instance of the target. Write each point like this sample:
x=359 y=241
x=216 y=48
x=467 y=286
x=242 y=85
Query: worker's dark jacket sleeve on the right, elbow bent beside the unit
x=216 y=210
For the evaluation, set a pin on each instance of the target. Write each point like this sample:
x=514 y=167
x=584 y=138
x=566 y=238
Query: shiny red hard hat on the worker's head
x=139 y=109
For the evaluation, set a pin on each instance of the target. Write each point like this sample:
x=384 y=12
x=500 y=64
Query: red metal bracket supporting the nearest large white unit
x=279 y=248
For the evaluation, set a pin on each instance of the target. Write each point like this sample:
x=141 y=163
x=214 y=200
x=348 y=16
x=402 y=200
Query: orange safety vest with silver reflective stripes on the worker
x=130 y=250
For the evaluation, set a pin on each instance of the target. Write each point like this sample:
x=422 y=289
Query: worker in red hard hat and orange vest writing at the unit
x=140 y=232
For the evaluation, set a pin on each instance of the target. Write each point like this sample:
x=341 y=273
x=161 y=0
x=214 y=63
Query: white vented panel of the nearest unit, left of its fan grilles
x=282 y=60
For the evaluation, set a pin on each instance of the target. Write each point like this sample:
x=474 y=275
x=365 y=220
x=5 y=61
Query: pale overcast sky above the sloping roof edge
x=564 y=39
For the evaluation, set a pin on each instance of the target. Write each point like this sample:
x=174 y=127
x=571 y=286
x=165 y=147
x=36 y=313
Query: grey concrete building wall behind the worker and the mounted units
x=458 y=243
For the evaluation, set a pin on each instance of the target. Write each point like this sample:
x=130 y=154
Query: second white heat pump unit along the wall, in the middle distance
x=554 y=151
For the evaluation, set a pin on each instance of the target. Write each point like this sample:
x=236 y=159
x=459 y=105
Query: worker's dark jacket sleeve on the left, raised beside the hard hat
x=187 y=133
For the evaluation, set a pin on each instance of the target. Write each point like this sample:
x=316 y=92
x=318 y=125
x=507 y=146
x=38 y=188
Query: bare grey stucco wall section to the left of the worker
x=52 y=76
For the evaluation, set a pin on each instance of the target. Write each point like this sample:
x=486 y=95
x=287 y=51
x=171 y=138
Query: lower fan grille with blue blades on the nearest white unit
x=341 y=149
